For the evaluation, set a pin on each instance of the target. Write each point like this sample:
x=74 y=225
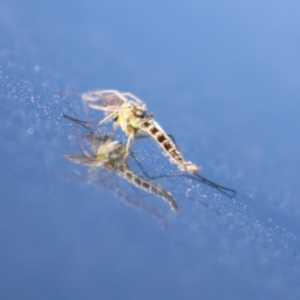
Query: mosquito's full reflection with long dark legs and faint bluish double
x=111 y=155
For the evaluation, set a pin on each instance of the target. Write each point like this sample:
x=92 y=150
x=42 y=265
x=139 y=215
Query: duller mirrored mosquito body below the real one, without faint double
x=112 y=155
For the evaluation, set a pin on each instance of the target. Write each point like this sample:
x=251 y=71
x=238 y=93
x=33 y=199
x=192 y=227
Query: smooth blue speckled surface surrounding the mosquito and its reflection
x=223 y=78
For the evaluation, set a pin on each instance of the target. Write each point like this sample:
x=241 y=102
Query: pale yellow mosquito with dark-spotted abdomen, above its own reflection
x=130 y=113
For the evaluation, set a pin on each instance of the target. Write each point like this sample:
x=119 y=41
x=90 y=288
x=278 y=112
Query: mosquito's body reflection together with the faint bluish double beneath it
x=107 y=156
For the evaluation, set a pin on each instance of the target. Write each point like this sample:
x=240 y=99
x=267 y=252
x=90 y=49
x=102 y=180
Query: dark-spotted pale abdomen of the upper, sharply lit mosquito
x=168 y=145
